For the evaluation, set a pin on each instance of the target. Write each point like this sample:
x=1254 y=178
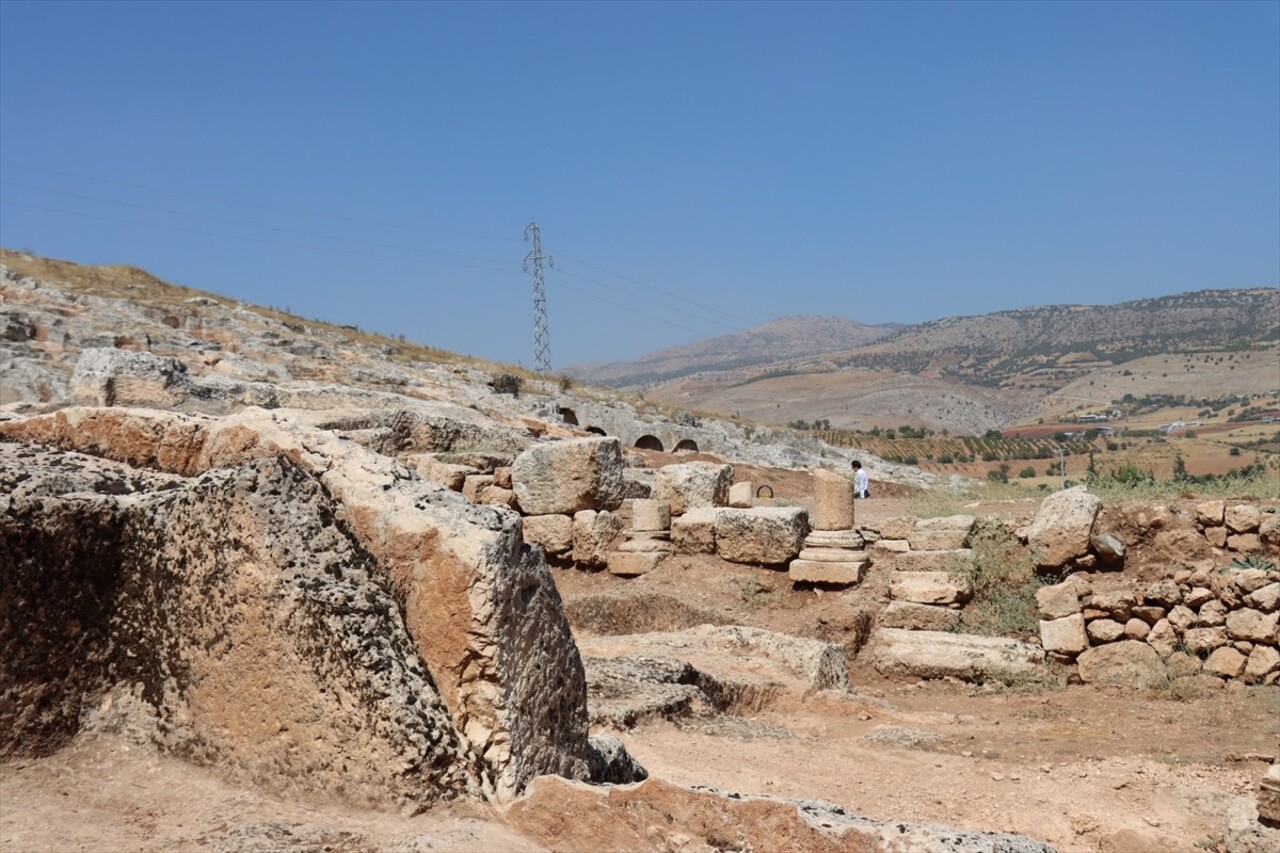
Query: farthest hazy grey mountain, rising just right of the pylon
x=790 y=337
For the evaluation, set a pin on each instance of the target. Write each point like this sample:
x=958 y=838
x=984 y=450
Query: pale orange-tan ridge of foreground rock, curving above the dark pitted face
x=469 y=589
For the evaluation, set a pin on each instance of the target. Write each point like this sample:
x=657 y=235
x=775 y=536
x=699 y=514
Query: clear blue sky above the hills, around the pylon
x=697 y=168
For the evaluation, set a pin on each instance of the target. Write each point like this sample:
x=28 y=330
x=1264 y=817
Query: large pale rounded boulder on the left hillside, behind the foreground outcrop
x=108 y=377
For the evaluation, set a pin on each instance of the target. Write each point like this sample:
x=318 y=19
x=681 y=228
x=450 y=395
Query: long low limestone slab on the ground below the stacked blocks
x=941 y=654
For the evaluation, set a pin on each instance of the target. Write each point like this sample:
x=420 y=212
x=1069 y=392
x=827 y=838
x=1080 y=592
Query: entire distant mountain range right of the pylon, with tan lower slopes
x=971 y=373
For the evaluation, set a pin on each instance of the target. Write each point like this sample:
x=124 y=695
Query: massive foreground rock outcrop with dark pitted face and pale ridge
x=479 y=614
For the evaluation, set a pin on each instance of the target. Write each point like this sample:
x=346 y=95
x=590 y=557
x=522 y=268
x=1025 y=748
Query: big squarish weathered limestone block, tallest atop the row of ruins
x=569 y=476
